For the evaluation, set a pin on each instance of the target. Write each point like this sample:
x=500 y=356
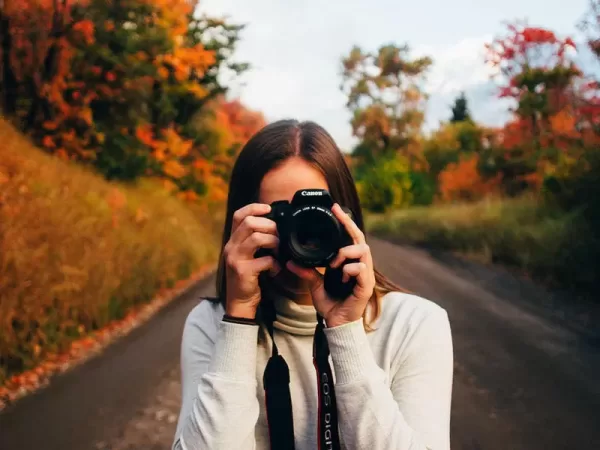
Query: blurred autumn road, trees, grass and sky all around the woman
x=473 y=133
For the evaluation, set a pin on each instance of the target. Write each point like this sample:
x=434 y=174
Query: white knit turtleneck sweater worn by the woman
x=393 y=385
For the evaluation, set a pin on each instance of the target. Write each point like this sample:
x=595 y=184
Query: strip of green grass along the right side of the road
x=542 y=241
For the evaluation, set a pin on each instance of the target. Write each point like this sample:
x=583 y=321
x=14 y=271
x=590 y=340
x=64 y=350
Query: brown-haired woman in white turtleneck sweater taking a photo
x=391 y=352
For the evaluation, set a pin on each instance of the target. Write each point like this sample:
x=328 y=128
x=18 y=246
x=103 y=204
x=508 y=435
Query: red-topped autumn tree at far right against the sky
x=536 y=69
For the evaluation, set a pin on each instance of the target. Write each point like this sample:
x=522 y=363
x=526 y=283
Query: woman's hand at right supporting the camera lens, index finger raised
x=339 y=312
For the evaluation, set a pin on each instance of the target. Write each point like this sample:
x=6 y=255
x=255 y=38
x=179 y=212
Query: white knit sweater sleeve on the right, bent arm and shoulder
x=412 y=412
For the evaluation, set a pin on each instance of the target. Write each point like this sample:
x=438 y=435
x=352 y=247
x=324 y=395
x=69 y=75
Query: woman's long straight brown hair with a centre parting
x=269 y=148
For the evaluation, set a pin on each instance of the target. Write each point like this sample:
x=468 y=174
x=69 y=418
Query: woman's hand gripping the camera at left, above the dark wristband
x=248 y=234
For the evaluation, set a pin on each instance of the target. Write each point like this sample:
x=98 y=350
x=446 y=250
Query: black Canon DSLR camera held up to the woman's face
x=311 y=236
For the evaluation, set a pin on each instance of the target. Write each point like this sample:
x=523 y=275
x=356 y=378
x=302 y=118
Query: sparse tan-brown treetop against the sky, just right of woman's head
x=385 y=97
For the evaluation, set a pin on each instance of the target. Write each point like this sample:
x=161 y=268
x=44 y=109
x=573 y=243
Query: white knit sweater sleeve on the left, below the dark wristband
x=219 y=403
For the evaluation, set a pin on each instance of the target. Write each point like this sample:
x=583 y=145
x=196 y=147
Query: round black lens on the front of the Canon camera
x=314 y=237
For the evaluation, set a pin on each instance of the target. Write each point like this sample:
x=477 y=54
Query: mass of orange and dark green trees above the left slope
x=120 y=84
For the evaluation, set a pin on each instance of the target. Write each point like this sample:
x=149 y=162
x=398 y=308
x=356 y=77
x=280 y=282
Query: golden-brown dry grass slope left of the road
x=76 y=251
